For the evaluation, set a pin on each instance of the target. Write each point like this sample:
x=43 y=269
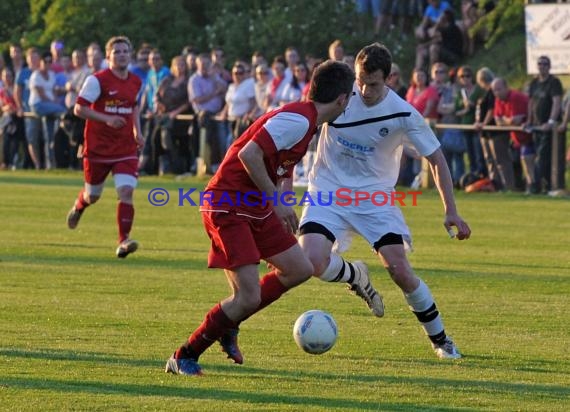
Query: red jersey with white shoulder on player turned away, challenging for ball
x=283 y=135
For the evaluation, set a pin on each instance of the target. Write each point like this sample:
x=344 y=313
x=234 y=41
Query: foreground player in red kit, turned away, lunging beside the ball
x=244 y=228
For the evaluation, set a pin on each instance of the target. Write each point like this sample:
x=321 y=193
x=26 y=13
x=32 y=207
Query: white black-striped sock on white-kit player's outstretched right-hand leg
x=423 y=306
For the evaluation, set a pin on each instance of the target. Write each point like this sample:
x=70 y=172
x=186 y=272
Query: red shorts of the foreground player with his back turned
x=239 y=240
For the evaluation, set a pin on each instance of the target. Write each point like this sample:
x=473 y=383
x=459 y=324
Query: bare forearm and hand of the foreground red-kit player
x=251 y=156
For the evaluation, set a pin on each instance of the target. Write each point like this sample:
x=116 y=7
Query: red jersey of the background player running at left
x=106 y=93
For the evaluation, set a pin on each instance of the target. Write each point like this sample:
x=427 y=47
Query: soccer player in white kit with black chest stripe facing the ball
x=361 y=151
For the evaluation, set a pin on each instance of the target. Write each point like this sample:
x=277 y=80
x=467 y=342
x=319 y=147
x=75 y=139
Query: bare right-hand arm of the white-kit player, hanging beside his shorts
x=443 y=182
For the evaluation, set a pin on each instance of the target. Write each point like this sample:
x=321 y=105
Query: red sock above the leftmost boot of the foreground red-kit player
x=214 y=325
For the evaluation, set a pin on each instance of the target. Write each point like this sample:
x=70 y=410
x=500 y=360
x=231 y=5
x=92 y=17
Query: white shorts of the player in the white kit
x=343 y=223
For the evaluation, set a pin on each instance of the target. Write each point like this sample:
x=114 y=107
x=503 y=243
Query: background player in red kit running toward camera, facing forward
x=108 y=102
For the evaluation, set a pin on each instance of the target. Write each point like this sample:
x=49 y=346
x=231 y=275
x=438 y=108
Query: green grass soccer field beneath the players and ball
x=82 y=330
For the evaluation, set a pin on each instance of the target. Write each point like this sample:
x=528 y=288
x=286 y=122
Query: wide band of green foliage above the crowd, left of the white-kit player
x=238 y=26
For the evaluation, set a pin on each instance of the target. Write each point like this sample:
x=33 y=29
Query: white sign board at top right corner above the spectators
x=548 y=34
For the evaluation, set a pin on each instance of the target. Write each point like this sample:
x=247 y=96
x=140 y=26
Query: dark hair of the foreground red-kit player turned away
x=331 y=79
